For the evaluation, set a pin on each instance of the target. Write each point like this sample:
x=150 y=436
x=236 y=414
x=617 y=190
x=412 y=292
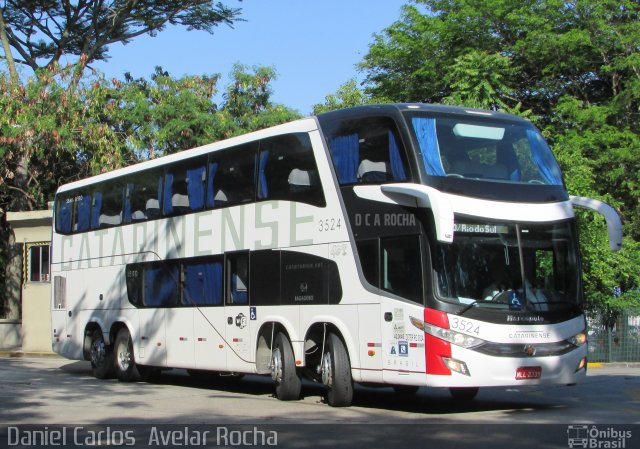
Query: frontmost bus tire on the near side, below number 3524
x=336 y=373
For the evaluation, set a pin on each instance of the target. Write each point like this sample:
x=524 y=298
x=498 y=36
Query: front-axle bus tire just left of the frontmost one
x=283 y=370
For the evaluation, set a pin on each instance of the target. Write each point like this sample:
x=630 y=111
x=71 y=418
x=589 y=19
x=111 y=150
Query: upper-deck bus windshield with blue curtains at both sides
x=478 y=148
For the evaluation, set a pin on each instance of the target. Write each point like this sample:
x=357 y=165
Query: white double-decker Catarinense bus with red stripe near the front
x=407 y=245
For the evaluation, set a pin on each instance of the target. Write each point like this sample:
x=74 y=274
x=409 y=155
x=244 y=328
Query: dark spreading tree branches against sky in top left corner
x=41 y=32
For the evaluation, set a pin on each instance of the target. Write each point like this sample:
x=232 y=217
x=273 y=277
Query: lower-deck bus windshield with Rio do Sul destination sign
x=509 y=266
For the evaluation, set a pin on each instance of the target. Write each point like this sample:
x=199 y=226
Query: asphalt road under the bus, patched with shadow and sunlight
x=47 y=392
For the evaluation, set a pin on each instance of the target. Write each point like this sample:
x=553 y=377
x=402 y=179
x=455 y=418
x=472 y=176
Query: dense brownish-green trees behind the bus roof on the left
x=65 y=135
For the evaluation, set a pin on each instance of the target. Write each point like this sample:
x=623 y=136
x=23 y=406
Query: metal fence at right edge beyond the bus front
x=618 y=344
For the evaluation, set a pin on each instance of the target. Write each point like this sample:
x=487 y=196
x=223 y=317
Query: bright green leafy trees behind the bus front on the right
x=571 y=67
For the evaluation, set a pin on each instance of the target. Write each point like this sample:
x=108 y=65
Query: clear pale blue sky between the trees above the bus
x=314 y=46
